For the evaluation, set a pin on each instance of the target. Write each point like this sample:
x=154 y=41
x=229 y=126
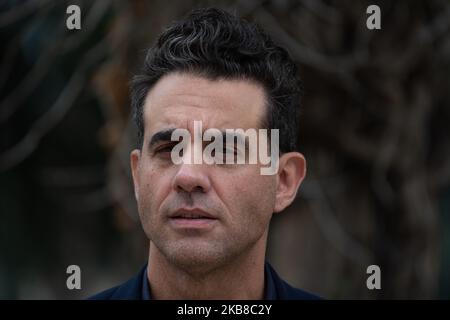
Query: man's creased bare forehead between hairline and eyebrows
x=177 y=100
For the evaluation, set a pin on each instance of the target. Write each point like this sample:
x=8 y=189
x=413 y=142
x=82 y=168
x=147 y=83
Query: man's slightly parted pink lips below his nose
x=192 y=219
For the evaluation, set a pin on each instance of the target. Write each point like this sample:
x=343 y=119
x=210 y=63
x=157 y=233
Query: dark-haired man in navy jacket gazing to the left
x=208 y=223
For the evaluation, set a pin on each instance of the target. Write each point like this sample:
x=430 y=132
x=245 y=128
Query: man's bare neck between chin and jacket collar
x=242 y=278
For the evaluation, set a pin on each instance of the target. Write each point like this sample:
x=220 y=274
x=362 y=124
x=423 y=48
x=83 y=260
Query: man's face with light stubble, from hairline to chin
x=237 y=197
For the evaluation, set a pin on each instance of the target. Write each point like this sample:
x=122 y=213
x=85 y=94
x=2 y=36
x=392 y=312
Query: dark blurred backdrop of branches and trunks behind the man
x=374 y=130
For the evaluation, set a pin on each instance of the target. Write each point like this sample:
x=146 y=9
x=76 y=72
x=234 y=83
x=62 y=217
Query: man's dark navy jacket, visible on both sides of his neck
x=133 y=288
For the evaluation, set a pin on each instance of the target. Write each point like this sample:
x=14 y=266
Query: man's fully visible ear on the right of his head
x=291 y=172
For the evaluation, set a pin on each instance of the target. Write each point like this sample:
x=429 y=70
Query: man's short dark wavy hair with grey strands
x=215 y=44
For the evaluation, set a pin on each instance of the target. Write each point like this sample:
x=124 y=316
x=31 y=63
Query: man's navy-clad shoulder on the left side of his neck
x=129 y=290
